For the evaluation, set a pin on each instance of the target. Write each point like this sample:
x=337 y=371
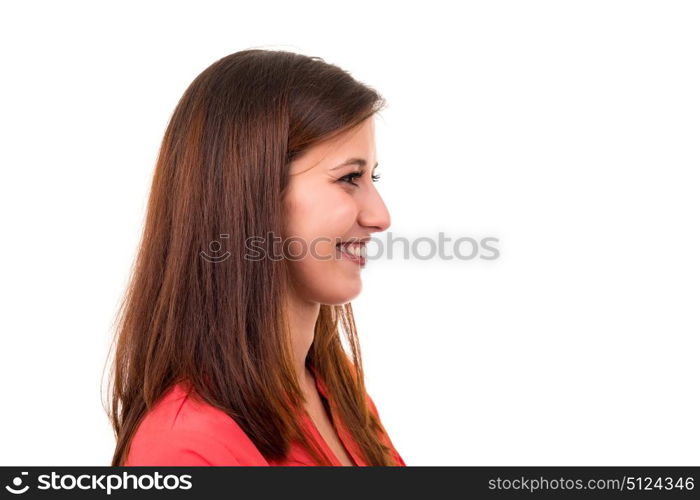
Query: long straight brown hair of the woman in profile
x=221 y=171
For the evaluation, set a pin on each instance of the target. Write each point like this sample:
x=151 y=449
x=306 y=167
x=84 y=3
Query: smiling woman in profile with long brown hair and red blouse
x=228 y=343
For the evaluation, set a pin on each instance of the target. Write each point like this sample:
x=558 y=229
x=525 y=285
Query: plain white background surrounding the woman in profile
x=568 y=130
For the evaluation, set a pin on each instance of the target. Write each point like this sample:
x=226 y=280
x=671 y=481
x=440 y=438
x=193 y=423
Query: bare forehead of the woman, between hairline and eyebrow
x=356 y=142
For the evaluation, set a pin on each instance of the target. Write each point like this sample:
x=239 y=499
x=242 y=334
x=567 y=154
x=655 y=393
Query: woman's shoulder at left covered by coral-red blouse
x=181 y=431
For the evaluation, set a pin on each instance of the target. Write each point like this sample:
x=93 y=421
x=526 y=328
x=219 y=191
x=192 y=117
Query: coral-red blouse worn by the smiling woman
x=179 y=431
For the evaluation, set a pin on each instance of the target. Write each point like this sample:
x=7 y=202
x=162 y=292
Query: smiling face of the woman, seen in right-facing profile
x=325 y=203
